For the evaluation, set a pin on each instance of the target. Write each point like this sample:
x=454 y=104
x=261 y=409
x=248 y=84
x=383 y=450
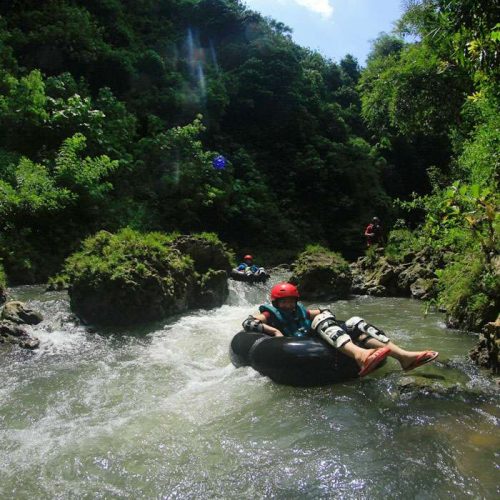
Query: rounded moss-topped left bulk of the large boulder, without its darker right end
x=127 y=277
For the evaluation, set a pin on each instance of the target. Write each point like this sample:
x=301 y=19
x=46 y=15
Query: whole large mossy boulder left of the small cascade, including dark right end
x=129 y=277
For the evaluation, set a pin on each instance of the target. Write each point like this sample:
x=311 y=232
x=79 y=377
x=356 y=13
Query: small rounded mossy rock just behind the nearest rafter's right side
x=322 y=274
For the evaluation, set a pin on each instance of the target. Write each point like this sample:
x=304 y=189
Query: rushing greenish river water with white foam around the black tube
x=162 y=413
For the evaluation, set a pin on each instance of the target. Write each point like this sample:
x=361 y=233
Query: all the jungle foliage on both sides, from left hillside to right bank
x=111 y=112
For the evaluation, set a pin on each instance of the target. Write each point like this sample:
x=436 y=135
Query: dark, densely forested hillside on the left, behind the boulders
x=112 y=113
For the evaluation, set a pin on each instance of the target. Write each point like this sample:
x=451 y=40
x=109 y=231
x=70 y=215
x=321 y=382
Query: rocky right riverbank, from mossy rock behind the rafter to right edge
x=322 y=274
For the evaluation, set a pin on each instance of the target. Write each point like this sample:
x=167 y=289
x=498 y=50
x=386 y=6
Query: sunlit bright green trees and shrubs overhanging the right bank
x=442 y=92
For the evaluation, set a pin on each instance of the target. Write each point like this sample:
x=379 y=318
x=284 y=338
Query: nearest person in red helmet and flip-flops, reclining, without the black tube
x=366 y=344
